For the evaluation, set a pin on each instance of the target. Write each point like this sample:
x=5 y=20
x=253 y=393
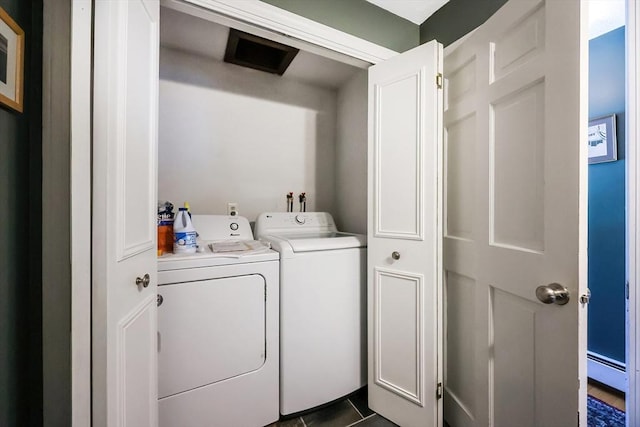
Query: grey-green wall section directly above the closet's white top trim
x=358 y=18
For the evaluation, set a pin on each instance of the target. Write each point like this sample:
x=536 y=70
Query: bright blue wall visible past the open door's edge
x=607 y=202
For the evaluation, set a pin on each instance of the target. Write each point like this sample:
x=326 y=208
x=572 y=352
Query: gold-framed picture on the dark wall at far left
x=11 y=62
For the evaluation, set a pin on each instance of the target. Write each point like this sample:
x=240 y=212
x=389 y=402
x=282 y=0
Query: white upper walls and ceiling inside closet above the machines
x=231 y=134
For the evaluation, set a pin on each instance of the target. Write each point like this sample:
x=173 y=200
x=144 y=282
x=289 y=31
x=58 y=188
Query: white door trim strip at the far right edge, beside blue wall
x=633 y=211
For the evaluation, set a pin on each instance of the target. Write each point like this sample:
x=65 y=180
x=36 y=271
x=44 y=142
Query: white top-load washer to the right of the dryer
x=322 y=307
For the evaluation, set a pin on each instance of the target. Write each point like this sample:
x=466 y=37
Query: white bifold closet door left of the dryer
x=126 y=44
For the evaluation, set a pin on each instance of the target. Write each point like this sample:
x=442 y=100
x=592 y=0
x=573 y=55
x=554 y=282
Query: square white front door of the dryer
x=210 y=330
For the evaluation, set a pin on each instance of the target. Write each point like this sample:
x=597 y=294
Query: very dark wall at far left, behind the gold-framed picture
x=20 y=235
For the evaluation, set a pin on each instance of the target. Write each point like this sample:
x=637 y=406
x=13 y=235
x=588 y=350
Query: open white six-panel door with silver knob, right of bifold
x=515 y=189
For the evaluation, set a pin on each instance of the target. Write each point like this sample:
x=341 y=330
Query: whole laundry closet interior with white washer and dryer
x=231 y=136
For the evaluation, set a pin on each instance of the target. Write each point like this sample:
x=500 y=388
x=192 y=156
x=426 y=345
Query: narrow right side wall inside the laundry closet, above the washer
x=351 y=155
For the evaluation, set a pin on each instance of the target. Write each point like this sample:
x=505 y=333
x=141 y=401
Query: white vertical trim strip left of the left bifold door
x=81 y=195
